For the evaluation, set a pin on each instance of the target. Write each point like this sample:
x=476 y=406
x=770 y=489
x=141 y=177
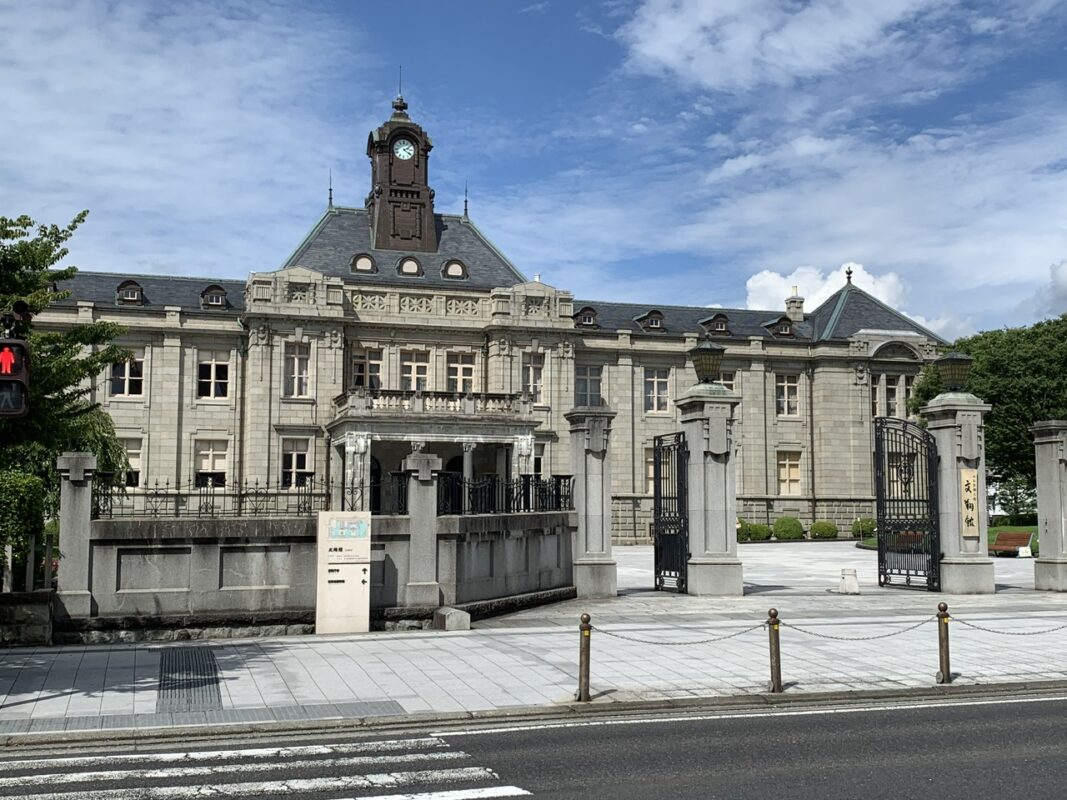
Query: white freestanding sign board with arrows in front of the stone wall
x=343 y=580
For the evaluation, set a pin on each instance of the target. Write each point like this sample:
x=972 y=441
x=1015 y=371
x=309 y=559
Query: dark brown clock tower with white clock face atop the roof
x=401 y=203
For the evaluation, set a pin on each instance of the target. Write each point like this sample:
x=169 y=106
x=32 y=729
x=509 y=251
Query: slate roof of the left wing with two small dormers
x=156 y=292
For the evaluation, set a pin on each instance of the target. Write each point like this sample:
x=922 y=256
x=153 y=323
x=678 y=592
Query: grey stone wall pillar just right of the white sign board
x=423 y=588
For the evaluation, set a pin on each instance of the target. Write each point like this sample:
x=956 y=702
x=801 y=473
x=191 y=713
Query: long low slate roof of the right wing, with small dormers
x=678 y=319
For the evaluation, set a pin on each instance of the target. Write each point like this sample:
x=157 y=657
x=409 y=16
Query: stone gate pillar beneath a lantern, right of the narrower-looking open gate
x=711 y=435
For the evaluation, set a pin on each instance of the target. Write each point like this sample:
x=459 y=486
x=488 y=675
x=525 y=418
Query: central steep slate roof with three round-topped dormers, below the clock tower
x=344 y=233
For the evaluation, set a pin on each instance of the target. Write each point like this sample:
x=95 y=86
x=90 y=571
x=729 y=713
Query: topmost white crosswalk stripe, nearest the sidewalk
x=212 y=756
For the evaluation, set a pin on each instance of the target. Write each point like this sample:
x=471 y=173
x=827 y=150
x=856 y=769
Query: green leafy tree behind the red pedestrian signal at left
x=65 y=365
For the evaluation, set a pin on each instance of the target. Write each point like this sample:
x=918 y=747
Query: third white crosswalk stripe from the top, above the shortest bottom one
x=276 y=789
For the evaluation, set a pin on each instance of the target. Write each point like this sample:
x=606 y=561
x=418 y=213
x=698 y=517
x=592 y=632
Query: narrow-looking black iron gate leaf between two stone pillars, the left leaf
x=671 y=511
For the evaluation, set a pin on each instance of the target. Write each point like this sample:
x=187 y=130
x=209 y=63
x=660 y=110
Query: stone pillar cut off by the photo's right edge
x=1050 y=450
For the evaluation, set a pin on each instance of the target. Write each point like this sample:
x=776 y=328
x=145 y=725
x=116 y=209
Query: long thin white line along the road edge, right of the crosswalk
x=746 y=715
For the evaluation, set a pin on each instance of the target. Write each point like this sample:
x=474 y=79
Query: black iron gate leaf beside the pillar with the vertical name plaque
x=906 y=490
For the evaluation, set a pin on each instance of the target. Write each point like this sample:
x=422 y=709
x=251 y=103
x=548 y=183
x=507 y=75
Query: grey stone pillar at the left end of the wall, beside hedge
x=76 y=509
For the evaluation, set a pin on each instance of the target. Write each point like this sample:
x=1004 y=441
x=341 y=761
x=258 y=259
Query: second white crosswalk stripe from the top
x=221 y=770
